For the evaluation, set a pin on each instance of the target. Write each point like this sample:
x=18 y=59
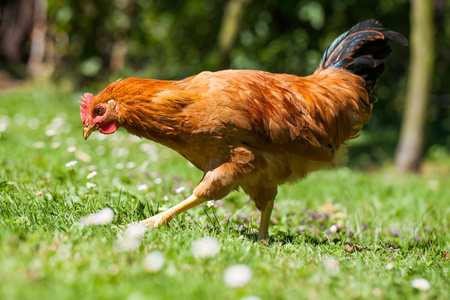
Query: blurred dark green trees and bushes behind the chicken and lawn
x=80 y=46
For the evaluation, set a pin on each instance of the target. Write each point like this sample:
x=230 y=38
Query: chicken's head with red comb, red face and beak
x=98 y=113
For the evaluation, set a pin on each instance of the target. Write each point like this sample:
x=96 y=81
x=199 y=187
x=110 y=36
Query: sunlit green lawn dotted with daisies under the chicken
x=403 y=221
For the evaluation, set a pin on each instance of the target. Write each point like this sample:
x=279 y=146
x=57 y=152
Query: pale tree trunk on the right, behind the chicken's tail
x=410 y=146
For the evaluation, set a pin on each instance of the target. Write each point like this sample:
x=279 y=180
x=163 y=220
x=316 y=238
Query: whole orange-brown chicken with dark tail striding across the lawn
x=251 y=129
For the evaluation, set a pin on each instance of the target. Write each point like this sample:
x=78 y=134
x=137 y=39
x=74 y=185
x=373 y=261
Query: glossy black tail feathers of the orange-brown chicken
x=362 y=50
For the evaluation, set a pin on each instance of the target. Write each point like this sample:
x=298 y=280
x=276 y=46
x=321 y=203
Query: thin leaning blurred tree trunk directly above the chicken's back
x=231 y=23
